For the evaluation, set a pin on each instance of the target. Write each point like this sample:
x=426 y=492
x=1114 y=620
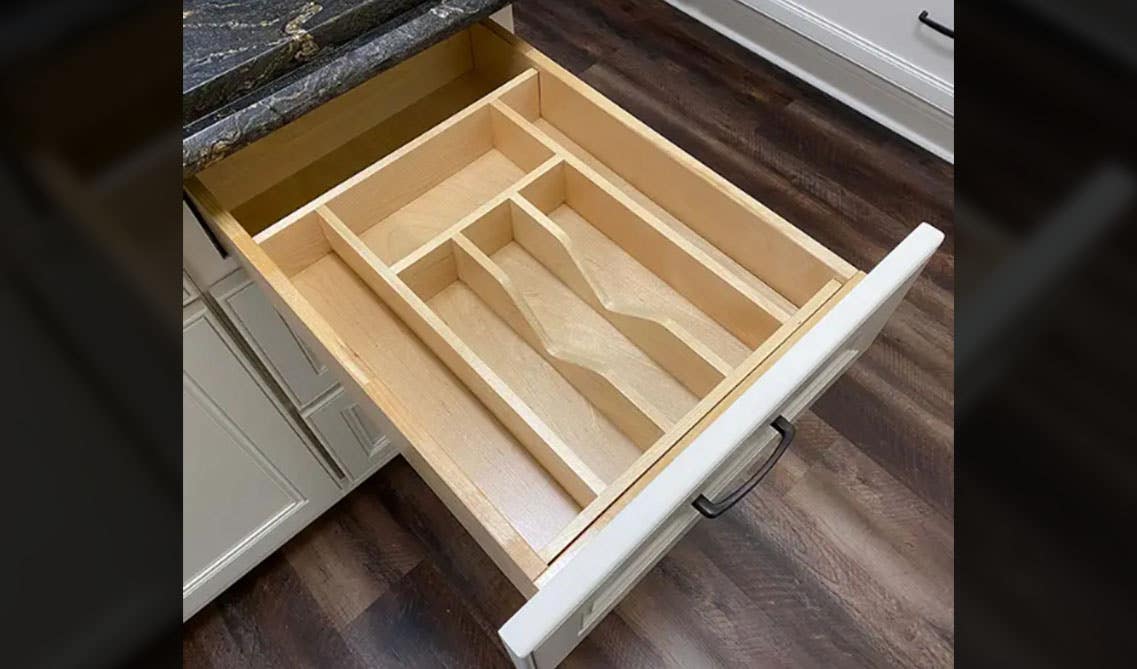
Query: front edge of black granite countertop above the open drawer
x=225 y=131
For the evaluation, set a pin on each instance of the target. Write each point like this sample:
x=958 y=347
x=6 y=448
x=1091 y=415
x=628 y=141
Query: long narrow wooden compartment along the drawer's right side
x=786 y=267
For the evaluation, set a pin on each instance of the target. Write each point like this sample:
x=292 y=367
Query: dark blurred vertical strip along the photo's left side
x=90 y=319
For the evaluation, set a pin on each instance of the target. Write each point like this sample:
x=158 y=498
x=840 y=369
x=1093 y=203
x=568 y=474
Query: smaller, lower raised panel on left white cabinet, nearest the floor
x=362 y=442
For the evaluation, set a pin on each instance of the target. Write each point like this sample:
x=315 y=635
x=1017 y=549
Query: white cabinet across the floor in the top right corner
x=877 y=57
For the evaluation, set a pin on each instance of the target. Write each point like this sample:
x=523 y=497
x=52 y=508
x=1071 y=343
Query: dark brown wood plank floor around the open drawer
x=843 y=558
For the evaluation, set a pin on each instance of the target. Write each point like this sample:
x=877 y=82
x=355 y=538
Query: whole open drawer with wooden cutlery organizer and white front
x=578 y=328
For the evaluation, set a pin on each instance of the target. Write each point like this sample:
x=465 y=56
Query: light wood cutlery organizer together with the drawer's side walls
x=591 y=293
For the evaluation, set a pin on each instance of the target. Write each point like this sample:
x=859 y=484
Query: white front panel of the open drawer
x=544 y=632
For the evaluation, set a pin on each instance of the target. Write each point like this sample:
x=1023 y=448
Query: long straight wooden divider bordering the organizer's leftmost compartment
x=542 y=442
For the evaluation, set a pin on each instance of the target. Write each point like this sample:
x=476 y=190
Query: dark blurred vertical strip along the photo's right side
x=1047 y=419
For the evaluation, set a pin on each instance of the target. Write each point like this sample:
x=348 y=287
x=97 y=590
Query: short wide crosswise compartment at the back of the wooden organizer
x=450 y=172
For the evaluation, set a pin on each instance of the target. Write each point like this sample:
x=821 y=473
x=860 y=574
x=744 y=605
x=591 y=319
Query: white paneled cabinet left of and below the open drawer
x=252 y=477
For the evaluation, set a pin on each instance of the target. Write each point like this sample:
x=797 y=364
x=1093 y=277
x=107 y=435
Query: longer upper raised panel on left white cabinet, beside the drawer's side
x=288 y=358
